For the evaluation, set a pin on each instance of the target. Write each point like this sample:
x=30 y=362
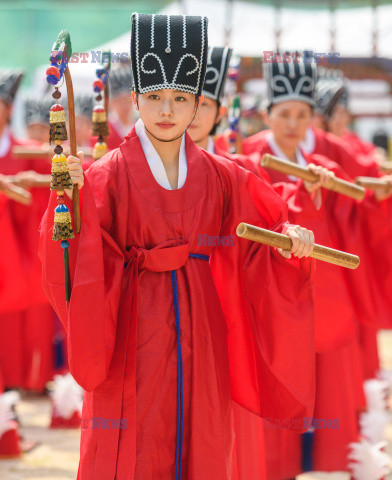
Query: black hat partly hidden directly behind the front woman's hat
x=217 y=66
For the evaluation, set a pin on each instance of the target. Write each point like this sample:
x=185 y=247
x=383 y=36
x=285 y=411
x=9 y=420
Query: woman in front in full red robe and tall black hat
x=163 y=330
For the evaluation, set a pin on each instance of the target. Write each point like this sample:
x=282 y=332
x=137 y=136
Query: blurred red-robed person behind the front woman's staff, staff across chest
x=338 y=396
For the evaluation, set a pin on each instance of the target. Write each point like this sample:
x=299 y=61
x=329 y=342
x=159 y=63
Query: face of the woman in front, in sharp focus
x=166 y=113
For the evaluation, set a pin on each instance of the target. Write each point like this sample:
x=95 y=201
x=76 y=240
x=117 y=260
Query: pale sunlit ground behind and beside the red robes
x=57 y=453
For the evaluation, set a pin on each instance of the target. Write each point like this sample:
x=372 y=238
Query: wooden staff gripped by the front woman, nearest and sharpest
x=266 y=237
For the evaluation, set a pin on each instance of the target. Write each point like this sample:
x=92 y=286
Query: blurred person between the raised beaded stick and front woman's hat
x=121 y=111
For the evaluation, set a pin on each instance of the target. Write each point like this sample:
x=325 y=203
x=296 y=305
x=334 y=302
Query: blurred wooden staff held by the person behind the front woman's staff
x=290 y=168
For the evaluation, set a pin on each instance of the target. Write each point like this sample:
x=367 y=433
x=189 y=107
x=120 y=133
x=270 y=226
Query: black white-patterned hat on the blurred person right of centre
x=290 y=81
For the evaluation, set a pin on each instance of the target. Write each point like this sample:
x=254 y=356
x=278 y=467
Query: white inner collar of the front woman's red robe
x=155 y=162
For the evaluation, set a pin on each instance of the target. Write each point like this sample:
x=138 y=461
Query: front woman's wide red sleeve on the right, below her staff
x=268 y=304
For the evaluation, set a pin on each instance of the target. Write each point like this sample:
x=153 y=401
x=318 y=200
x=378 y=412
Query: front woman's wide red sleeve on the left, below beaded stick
x=96 y=264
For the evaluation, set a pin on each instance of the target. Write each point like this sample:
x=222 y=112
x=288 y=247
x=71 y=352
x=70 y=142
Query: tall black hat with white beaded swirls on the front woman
x=168 y=52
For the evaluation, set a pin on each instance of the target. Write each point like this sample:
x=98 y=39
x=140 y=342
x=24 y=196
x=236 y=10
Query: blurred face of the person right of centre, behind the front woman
x=289 y=122
